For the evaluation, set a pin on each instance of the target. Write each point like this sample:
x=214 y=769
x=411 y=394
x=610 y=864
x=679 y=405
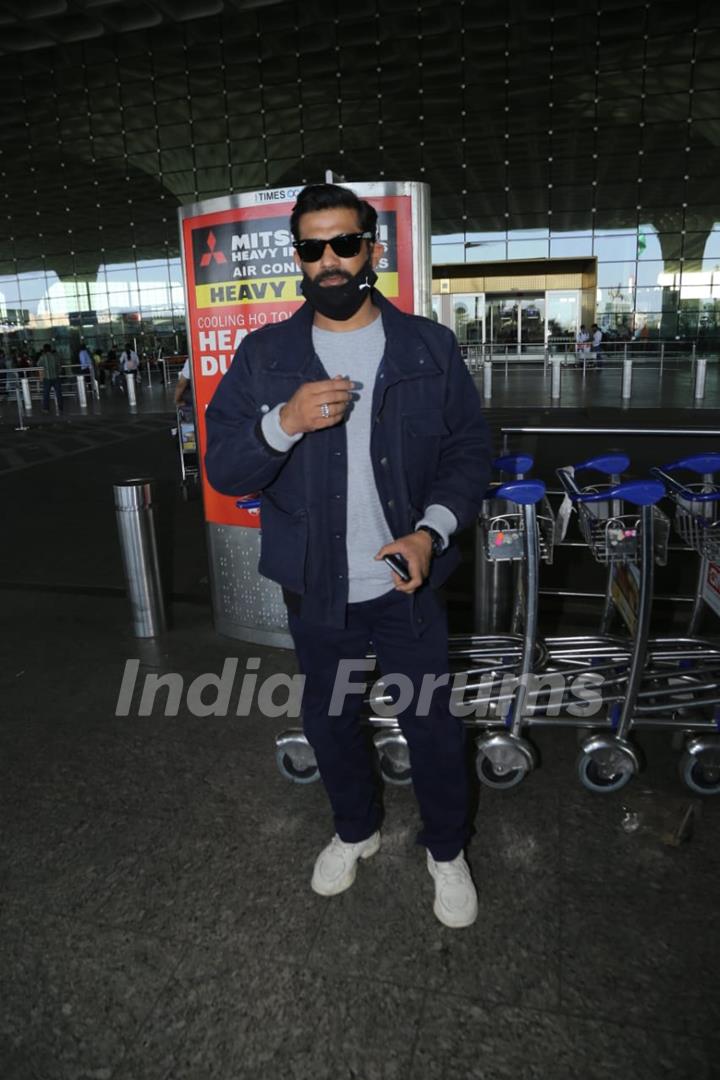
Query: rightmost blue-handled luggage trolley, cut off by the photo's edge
x=692 y=691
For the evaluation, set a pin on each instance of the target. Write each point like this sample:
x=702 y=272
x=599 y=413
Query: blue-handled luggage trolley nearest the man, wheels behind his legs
x=518 y=525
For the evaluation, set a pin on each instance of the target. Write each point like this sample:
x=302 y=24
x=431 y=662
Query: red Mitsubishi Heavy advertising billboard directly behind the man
x=240 y=276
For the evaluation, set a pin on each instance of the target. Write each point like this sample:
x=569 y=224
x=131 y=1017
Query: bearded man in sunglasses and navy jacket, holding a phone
x=362 y=428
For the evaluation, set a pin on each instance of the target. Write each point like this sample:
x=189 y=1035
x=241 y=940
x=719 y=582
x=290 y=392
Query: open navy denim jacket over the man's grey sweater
x=430 y=444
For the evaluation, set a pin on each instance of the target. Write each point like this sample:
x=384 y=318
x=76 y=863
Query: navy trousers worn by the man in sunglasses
x=436 y=741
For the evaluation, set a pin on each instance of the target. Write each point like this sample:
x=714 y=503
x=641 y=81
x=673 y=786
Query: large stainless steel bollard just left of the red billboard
x=137 y=529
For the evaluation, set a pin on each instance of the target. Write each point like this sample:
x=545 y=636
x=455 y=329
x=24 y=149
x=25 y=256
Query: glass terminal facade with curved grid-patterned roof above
x=552 y=131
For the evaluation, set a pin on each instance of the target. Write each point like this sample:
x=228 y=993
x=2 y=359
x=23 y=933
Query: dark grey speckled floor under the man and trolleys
x=156 y=916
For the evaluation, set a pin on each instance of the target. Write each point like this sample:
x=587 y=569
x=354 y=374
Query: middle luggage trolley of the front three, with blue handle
x=626 y=532
